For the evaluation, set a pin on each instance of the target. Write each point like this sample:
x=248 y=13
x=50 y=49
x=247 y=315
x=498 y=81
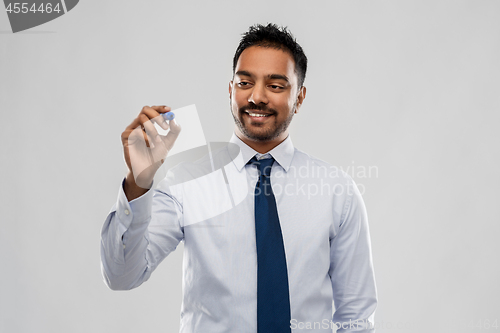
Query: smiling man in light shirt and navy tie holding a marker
x=272 y=238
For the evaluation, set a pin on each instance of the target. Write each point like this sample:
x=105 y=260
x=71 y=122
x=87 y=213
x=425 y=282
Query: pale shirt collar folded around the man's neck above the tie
x=282 y=153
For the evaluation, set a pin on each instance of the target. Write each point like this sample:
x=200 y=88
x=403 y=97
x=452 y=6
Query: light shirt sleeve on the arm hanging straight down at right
x=351 y=269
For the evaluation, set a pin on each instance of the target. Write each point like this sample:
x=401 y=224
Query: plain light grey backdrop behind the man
x=411 y=87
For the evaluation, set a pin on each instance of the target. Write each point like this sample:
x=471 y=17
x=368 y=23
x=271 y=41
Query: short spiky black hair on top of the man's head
x=279 y=38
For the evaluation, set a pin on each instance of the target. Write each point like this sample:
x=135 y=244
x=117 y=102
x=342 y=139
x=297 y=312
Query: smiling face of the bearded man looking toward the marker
x=264 y=94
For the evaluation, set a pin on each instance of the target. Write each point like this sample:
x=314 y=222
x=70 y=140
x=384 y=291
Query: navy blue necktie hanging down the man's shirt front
x=273 y=301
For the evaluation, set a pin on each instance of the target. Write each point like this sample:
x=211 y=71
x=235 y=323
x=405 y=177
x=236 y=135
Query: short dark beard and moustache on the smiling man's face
x=269 y=131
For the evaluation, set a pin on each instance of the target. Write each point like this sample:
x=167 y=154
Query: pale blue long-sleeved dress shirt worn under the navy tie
x=325 y=234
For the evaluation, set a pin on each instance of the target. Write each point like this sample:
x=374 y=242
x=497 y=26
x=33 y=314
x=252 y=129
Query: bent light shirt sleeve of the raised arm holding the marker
x=137 y=236
